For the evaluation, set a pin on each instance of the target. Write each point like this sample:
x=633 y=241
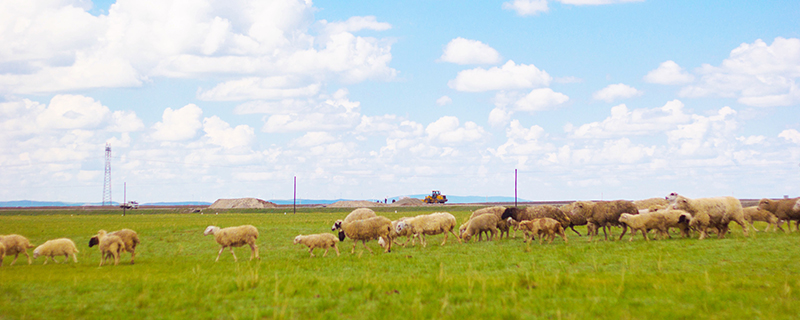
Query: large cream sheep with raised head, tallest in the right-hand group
x=720 y=211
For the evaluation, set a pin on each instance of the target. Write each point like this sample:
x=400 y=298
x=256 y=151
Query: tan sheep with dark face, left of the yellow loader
x=378 y=227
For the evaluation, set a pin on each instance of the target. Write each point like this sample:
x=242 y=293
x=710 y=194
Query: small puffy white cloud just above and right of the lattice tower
x=178 y=125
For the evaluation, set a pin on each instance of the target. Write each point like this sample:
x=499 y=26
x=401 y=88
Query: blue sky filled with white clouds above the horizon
x=585 y=99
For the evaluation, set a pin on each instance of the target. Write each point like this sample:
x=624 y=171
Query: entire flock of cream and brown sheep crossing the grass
x=701 y=215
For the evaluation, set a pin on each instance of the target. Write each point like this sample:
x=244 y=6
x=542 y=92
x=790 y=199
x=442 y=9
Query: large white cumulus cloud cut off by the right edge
x=757 y=74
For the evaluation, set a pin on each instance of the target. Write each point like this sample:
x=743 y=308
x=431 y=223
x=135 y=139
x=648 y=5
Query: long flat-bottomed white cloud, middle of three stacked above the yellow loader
x=509 y=76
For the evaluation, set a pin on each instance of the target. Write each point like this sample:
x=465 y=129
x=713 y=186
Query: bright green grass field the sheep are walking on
x=175 y=275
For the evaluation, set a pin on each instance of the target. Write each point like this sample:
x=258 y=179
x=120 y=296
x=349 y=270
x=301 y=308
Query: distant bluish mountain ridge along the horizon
x=450 y=199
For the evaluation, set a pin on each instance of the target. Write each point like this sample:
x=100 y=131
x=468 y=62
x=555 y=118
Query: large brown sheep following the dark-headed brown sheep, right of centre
x=604 y=214
